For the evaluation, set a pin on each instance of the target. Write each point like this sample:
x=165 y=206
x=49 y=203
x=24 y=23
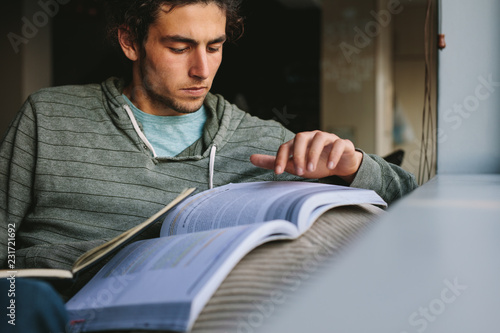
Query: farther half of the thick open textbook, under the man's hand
x=246 y=203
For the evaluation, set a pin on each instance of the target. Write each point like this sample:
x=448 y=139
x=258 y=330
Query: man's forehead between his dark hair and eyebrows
x=197 y=21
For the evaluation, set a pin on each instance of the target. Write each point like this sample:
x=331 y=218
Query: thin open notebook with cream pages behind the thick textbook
x=97 y=254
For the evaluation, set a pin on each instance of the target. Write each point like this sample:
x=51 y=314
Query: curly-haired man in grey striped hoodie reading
x=81 y=164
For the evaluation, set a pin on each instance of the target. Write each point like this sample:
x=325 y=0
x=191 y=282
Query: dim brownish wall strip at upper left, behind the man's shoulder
x=26 y=66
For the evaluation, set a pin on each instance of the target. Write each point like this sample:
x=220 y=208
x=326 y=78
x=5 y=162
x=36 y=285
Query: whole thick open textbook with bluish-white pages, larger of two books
x=164 y=283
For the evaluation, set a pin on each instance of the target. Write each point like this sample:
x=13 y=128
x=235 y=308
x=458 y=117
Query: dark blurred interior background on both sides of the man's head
x=352 y=67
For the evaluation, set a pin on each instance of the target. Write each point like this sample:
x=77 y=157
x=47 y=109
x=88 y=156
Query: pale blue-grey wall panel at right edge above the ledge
x=469 y=88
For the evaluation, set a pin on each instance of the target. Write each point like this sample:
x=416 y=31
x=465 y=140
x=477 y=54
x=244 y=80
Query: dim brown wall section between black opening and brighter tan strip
x=348 y=72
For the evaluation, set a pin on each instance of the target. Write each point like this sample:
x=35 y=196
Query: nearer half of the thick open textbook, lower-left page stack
x=164 y=283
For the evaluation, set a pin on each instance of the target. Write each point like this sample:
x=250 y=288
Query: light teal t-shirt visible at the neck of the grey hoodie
x=170 y=135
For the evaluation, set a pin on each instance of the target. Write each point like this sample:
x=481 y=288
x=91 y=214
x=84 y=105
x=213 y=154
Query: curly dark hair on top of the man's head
x=138 y=15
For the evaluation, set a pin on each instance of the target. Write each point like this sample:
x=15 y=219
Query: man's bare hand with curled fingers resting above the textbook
x=313 y=155
